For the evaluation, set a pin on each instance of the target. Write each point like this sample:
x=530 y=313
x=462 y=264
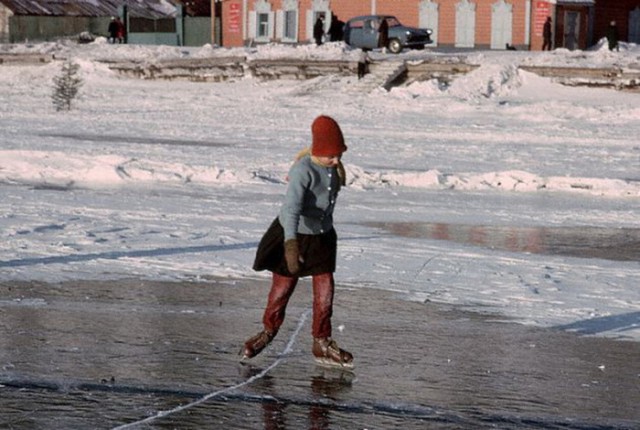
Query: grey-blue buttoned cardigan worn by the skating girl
x=310 y=199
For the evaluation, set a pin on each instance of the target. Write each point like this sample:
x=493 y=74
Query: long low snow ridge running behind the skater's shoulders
x=46 y=169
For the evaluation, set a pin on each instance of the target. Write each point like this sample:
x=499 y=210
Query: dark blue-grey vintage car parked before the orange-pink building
x=362 y=32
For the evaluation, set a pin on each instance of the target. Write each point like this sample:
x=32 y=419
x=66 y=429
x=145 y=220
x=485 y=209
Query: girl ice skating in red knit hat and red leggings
x=302 y=241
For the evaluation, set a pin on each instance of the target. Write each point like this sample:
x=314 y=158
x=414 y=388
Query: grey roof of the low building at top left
x=137 y=8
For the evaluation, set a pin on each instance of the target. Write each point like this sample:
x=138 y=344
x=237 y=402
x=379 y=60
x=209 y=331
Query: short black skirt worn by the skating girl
x=317 y=250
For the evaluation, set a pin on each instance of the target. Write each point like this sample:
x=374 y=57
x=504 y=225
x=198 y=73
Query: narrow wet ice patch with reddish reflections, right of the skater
x=620 y=244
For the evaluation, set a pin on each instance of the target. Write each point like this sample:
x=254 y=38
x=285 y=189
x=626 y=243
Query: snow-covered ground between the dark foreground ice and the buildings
x=178 y=180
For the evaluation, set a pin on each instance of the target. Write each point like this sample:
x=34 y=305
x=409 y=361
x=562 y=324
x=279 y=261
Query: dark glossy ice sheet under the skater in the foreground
x=105 y=354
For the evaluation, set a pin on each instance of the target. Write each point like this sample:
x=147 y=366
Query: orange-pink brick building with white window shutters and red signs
x=457 y=24
